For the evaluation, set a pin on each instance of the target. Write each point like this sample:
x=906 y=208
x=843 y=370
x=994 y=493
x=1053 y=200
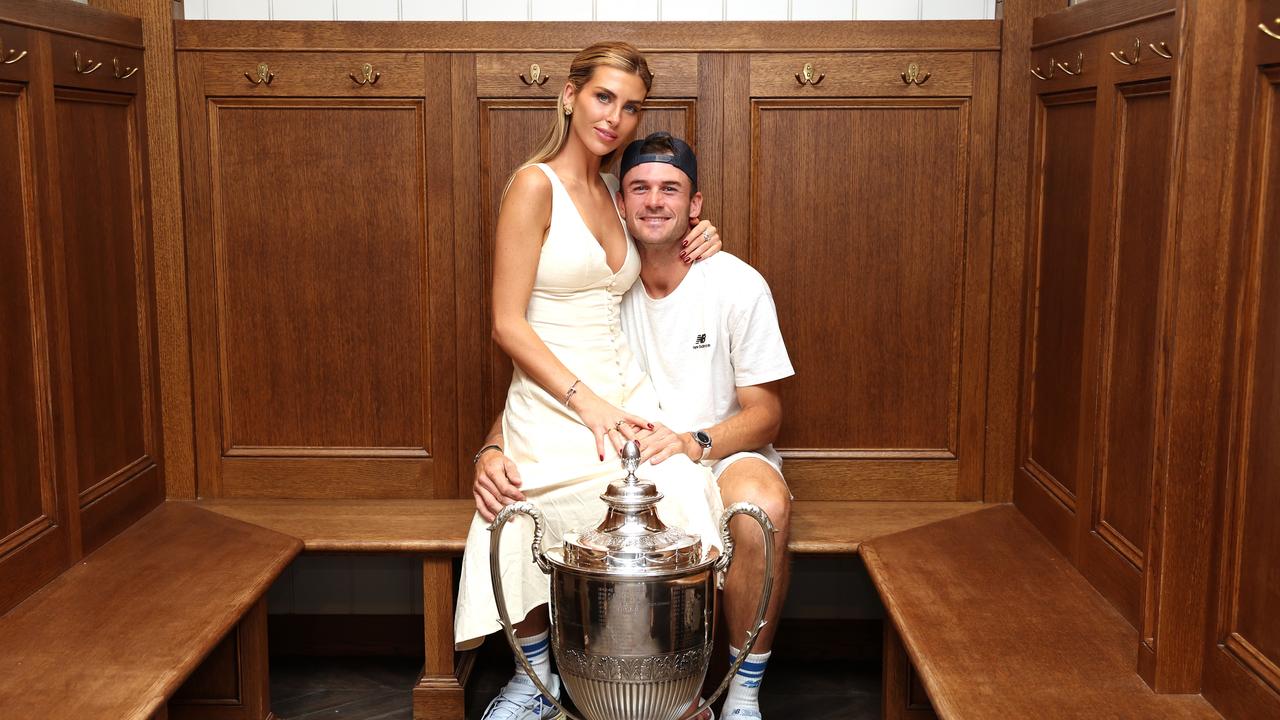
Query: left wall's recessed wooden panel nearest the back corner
x=107 y=259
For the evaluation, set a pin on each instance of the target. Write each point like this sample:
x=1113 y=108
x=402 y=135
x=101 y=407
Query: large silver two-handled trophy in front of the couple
x=633 y=605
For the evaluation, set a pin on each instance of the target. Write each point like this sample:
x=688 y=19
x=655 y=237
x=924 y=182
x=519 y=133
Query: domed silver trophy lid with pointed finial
x=632 y=539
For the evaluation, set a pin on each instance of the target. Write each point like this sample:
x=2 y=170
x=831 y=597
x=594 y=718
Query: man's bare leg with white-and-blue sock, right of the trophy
x=755 y=481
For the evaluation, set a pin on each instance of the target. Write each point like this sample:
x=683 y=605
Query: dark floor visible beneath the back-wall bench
x=369 y=689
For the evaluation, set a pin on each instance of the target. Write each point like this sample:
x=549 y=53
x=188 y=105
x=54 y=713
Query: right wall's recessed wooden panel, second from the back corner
x=1117 y=528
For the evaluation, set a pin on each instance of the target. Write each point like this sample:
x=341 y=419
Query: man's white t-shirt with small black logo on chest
x=716 y=332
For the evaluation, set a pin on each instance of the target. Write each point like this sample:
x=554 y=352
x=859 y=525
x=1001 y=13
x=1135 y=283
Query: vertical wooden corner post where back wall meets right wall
x=1011 y=249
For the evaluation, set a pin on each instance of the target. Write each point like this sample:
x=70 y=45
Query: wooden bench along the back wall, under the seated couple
x=437 y=531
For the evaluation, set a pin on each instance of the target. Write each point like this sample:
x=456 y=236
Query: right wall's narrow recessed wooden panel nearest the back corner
x=1055 y=338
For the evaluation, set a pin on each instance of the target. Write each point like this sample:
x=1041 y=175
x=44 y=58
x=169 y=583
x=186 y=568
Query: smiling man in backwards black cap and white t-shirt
x=708 y=336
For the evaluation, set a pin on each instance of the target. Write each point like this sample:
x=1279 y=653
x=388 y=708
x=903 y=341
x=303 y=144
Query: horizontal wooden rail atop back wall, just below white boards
x=572 y=38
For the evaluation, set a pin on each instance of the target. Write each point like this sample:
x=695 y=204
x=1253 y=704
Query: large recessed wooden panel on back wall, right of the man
x=868 y=303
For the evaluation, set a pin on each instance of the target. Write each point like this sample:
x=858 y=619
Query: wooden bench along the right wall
x=1000 y=626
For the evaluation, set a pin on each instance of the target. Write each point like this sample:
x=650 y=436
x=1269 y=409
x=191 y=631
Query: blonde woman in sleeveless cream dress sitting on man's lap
x=563 y=263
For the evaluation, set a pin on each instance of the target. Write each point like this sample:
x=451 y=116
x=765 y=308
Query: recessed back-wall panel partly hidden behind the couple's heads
x=510 y=130
